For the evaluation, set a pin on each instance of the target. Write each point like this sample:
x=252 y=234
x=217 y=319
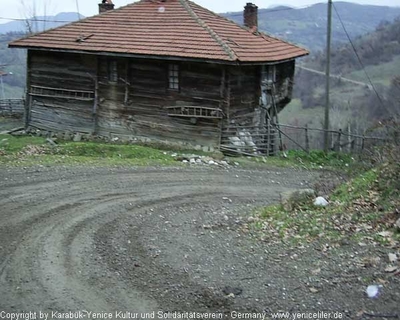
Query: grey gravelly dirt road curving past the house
x=151 y=239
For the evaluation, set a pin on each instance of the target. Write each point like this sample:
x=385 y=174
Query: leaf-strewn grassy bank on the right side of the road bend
x=360 y=210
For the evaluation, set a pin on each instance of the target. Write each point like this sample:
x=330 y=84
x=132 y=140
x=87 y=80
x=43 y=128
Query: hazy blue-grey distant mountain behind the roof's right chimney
x=307 y=26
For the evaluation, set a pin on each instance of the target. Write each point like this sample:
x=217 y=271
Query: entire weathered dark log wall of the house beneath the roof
x=132 y=97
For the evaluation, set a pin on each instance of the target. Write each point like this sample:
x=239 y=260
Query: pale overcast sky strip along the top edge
x=13 y=8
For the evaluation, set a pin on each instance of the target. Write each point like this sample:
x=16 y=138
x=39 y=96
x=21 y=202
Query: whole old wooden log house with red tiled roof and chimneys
x=165 y=70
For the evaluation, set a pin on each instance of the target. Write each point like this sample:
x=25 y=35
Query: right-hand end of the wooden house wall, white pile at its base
x=255 y=94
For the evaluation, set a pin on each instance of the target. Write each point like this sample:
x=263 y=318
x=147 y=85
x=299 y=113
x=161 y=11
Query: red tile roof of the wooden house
x=169 y=28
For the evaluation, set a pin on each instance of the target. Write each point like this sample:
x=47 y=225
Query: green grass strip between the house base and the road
x=29 y=150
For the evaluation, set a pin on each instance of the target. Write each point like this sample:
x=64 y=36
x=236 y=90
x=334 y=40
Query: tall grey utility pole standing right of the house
x=328 y=78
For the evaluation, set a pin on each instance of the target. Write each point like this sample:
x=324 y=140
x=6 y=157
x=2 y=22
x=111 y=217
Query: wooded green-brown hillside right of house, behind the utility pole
x=361 y=106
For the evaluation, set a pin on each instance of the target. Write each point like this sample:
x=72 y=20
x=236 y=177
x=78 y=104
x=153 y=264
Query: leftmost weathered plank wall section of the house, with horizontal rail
x=61 y=91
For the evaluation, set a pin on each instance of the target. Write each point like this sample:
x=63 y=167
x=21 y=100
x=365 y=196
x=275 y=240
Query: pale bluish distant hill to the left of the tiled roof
x=45 y=22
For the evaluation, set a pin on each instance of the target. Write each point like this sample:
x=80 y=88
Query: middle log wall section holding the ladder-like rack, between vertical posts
x=140 y=103
